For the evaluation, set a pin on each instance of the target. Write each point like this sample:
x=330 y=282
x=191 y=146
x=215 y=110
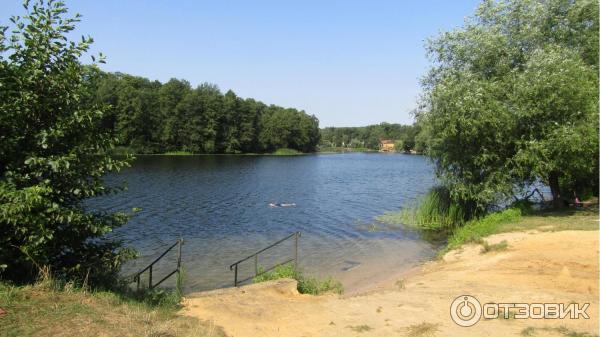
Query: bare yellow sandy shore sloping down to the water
x=536 y=267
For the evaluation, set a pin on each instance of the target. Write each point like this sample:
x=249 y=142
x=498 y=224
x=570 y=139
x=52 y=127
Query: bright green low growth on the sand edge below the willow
x=475 y=230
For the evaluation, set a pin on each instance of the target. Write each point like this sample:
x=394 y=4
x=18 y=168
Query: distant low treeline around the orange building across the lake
x=368 y=137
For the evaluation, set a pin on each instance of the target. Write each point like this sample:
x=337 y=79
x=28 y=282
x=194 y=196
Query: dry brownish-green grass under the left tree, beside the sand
x=46 y=309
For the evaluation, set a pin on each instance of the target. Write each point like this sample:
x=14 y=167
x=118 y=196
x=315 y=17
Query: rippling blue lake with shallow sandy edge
x=220 y=206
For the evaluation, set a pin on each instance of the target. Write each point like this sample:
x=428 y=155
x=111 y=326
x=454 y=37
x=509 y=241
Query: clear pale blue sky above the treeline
x=350 y=63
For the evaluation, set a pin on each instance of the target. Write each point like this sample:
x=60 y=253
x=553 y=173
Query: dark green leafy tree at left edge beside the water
x=53 y=155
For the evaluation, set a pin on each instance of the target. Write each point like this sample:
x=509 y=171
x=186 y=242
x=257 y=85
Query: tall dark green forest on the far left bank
x=153 y=117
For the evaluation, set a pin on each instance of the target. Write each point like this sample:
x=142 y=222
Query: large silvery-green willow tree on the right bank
x=511 y=99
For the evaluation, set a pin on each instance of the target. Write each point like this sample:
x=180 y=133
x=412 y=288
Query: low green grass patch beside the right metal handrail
x=306 y=285
